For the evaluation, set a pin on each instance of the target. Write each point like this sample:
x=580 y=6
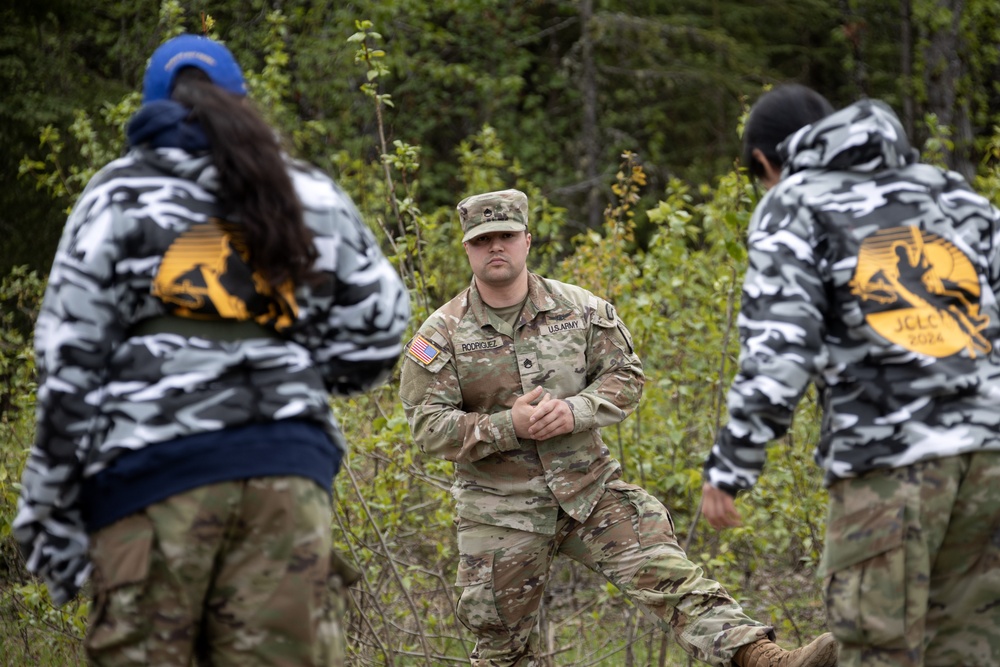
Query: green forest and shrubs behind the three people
x=621 y=121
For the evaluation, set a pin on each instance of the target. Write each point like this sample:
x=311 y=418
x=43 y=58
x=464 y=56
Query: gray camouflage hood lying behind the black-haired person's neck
x=864 y=137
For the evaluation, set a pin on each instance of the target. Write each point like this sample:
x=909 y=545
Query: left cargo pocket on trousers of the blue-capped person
x=121 y=556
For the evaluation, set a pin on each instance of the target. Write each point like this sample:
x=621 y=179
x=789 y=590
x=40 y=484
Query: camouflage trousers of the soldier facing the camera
x=629 y=539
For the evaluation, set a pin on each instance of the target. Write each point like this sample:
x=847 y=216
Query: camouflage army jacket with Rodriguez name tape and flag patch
x=465 y=368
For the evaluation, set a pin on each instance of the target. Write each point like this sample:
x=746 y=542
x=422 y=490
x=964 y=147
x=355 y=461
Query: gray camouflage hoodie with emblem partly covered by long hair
x=102 y=391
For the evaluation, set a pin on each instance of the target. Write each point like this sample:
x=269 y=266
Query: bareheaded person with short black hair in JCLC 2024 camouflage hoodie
x=875 y=277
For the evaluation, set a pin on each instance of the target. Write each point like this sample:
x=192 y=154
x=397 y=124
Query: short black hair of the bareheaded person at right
x=779 y=113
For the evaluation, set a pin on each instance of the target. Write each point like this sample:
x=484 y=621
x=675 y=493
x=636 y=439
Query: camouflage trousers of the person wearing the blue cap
x=229 y=574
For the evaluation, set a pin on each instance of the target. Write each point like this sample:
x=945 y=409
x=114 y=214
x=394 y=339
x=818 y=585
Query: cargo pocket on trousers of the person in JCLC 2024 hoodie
x=864 y=574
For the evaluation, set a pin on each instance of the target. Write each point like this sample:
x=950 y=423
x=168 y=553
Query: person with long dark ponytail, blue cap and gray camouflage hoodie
x=208 y=296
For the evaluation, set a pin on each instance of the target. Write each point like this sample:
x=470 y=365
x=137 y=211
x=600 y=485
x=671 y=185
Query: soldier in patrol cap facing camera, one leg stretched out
x=512 y=380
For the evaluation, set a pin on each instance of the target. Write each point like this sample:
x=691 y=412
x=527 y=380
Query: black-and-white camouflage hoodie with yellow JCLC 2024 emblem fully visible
x=875 y=277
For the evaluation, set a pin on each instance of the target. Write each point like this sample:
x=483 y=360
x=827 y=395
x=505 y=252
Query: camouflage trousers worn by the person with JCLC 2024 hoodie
x=912 y=564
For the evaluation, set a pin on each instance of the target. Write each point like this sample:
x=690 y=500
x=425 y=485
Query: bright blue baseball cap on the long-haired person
x=209 y=56
